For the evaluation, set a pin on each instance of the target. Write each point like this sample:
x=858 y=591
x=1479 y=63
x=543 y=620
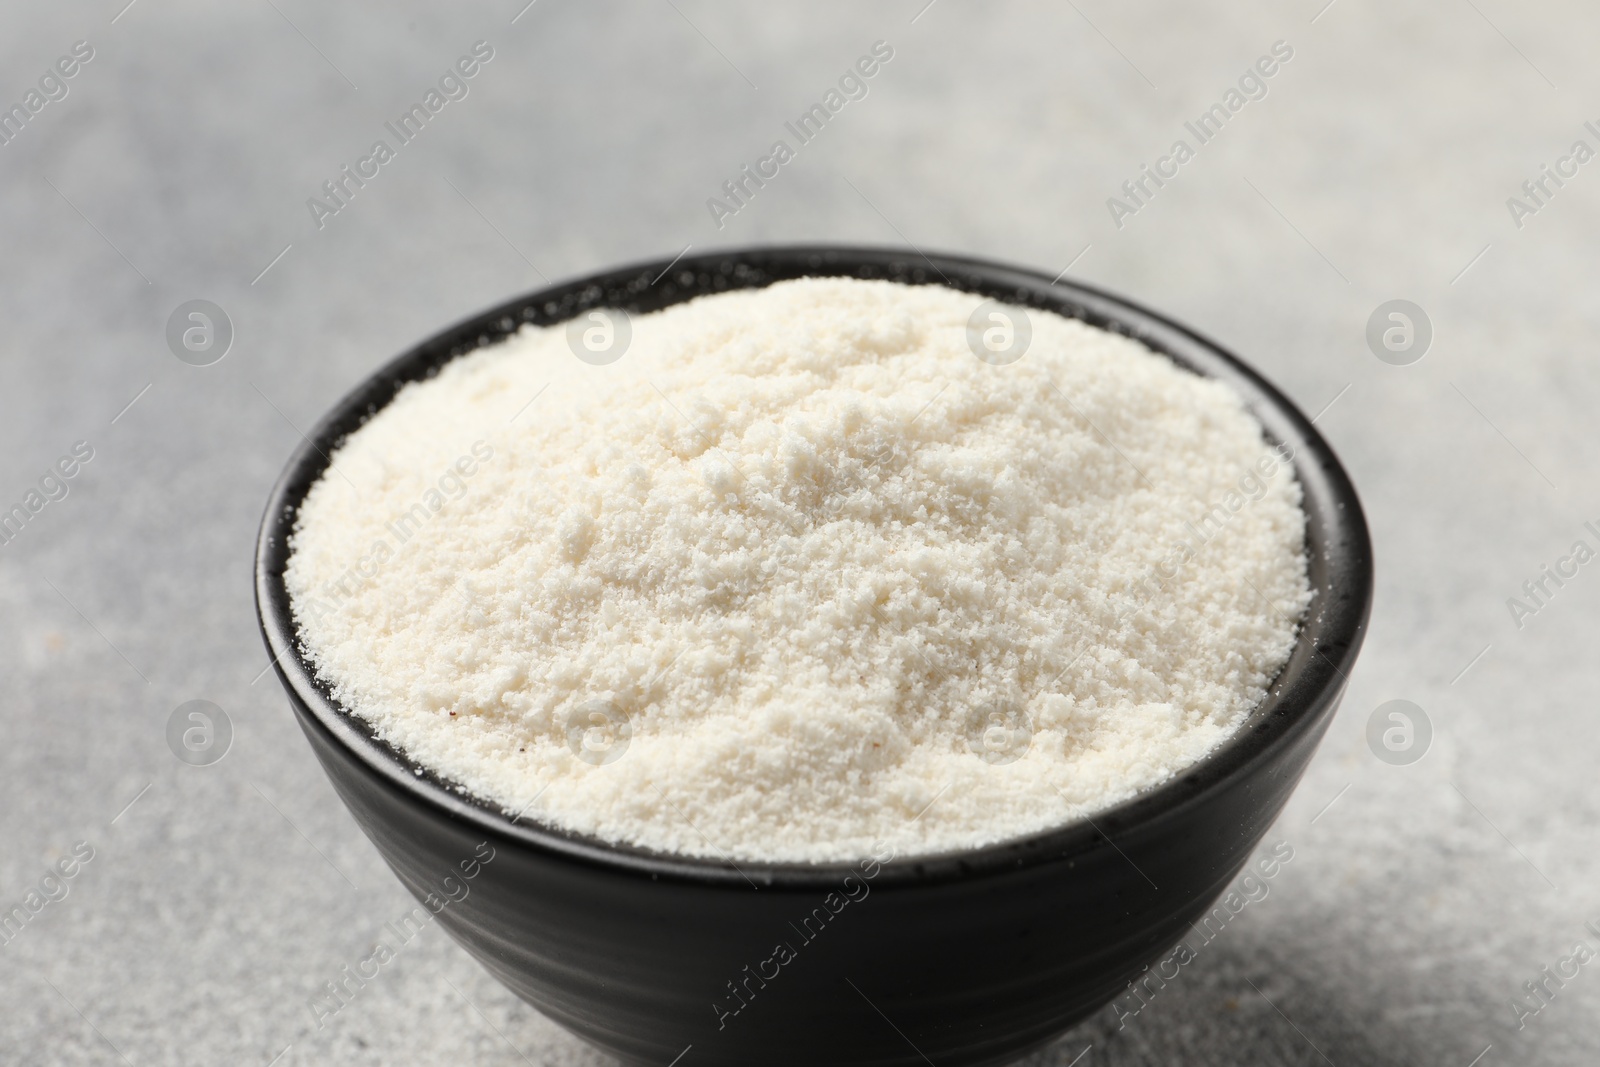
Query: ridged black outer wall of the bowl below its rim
x=962 y=972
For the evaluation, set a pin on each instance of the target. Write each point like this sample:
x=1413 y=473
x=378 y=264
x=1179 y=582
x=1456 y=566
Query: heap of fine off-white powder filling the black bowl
x=806 y=543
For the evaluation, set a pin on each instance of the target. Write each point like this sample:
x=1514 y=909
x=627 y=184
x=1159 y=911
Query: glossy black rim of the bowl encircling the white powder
x=1300 y=698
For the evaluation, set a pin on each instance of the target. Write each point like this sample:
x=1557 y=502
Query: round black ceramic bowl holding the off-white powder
x=972 y=957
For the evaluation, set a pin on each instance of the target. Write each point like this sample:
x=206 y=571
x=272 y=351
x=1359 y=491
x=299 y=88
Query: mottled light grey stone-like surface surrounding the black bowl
x=1378 y=167
